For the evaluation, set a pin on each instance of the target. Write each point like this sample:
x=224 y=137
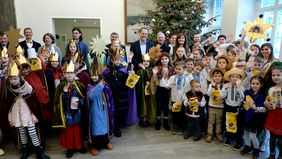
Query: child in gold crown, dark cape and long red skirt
x=69 y=100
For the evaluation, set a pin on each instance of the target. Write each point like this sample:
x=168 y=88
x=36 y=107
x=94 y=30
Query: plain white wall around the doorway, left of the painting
x=38 y=15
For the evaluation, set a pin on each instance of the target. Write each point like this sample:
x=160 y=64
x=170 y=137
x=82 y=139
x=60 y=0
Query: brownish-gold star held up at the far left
x=13 y=35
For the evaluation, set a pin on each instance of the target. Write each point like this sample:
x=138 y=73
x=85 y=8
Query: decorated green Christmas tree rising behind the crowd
x=178 y=16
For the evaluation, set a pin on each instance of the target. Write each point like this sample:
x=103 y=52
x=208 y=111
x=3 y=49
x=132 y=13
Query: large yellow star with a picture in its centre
x=256 y=30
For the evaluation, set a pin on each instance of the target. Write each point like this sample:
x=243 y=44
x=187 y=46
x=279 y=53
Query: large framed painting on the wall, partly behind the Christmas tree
x=135 y=17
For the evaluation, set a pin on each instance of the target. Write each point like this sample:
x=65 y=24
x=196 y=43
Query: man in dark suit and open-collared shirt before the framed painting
x=140 y=47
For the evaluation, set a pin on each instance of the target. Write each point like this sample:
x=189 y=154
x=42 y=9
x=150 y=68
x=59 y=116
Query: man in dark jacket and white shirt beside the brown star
x=28 y=42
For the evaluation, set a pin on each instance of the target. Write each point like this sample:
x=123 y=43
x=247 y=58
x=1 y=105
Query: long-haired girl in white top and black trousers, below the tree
x=160 y=78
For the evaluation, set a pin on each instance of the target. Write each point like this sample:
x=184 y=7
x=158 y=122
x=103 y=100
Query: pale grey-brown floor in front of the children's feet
x=145 y=143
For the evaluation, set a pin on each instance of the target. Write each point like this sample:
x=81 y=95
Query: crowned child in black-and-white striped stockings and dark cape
x=24 y=112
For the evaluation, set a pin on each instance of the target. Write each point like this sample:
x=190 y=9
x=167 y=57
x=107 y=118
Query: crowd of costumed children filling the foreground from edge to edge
x=221 y=93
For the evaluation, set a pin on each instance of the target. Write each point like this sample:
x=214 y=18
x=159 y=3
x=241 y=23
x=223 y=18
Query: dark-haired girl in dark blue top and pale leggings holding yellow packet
x=254 y=115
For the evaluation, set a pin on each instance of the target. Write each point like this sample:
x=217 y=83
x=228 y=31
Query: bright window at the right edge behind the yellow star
x=272 y=14
